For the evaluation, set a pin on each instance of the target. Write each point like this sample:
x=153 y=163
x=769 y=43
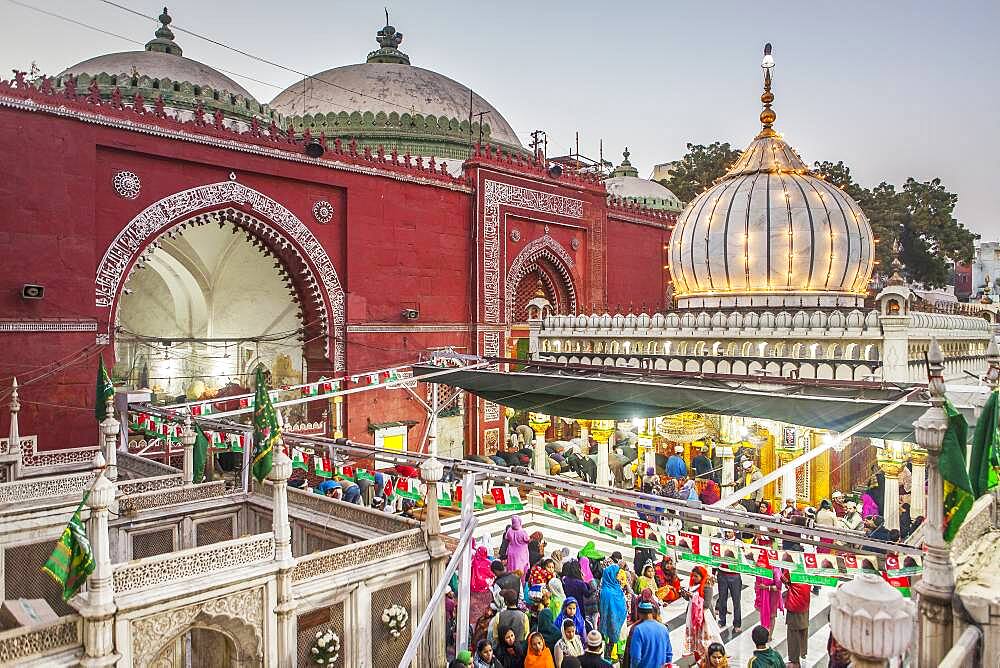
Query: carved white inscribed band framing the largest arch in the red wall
x=268 y=222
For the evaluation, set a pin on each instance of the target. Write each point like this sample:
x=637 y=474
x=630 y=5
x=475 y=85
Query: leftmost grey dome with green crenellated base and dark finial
x=162 y=69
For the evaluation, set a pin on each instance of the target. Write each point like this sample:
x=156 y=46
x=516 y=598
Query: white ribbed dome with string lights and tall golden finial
x=770 y=232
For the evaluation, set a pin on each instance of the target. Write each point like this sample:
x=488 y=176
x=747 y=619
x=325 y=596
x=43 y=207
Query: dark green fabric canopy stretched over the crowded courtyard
x=621 y=394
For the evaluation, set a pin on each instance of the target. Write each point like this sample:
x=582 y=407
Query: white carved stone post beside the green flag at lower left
x=97 y=605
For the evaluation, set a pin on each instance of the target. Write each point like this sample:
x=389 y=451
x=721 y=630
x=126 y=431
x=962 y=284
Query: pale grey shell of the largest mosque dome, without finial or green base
x=389 y=87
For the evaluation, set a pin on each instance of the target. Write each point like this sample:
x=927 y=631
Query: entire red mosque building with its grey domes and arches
x=157 y=214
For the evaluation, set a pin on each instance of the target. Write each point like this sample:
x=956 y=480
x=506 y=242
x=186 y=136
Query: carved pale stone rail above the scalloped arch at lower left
x=233 y=555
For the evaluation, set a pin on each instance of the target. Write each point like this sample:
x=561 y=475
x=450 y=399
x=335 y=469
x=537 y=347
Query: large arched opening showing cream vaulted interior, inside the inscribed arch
x=209 y=300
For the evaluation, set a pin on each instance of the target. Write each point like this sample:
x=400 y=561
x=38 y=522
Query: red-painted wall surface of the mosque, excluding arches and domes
x=399 y=239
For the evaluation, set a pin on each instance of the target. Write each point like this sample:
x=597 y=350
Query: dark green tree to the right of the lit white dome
x=920 y=216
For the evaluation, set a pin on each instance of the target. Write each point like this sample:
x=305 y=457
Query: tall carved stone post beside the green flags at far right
x=936 y=586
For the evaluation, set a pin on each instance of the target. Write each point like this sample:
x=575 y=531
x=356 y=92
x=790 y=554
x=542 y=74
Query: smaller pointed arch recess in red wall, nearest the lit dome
x=541 y=263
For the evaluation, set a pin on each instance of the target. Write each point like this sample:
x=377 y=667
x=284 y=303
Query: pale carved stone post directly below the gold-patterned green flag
x=281 y=471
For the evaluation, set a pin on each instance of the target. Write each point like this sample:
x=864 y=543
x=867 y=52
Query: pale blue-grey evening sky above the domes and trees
x=893 y=88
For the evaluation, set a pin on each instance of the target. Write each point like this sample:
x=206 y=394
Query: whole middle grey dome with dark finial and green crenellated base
x=386 y=101
